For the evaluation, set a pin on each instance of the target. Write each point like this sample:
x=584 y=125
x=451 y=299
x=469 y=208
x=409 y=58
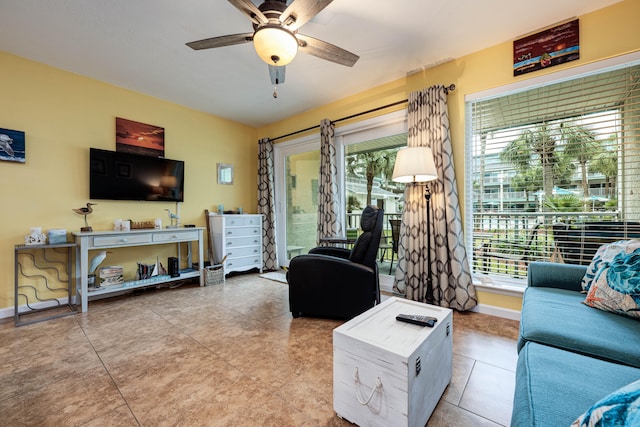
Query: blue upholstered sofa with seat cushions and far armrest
x=569 y=355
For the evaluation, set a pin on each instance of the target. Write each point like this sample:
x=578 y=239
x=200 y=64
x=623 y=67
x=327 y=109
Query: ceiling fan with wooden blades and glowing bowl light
x=275 y=36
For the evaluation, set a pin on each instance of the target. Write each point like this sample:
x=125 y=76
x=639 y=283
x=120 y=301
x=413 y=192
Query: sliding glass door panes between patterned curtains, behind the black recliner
x=297 y=165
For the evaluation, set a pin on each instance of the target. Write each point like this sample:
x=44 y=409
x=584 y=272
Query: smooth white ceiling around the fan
x=140 y=45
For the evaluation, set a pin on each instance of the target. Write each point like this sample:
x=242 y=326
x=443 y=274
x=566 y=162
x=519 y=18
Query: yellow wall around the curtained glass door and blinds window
x=603 y=34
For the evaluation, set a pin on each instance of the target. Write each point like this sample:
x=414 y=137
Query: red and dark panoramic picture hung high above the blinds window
x=547 y=48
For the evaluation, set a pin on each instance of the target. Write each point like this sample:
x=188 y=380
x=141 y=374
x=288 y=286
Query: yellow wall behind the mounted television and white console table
x=62 y=115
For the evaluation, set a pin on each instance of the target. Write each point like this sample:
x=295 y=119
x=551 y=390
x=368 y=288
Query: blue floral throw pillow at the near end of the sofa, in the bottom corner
x=620 y=408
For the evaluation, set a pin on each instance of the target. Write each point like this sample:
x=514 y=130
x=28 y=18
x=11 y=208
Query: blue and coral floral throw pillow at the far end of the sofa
x=616 y=283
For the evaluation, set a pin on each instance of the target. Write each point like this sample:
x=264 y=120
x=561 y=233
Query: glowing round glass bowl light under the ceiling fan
x=275 y=45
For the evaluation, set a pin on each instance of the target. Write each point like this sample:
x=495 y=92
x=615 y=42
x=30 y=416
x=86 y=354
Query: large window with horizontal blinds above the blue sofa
x=555 y=172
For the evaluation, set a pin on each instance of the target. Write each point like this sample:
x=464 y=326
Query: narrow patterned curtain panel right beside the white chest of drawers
x=266 y=204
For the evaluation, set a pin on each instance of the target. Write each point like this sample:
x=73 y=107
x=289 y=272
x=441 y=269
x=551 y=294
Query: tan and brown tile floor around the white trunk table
x=218 y=356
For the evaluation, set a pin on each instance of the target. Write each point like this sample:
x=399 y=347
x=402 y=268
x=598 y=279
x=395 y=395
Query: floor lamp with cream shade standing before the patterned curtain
x=415 y=165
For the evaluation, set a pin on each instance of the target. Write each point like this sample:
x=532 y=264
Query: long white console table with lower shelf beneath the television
x=96 y=240
